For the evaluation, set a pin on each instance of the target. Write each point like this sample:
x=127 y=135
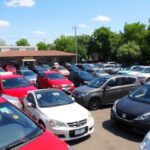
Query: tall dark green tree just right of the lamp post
x=100 y=43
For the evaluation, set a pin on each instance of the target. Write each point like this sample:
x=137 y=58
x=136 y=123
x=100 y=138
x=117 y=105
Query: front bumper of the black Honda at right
x=138 y=127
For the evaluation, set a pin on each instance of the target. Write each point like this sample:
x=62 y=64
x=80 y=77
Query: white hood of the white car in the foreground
x=66 y=113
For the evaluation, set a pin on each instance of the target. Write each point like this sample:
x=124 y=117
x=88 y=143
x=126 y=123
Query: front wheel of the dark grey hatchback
x=94 y=103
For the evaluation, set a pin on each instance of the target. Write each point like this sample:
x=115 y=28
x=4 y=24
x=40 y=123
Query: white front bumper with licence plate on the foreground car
x=70 y=133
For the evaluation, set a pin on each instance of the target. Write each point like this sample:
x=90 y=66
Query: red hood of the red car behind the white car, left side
x=18 y=92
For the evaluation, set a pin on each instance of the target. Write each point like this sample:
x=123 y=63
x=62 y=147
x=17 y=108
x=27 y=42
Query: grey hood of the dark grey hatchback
x=84 y=89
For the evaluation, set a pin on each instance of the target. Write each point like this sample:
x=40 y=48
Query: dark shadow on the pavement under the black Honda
x=121 y=132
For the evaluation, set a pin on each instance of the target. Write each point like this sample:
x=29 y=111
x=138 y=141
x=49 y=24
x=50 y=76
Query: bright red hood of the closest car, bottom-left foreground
x=45 y=141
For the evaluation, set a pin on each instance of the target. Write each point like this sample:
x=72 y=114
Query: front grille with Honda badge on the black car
x=125 y=115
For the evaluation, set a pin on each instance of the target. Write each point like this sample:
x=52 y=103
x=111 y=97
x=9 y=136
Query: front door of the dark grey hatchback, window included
x=111 y=91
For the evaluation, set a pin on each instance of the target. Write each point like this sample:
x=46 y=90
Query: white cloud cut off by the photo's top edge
x=20 y=3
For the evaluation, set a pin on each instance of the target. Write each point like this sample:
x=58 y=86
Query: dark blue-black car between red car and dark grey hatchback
x=80 y=77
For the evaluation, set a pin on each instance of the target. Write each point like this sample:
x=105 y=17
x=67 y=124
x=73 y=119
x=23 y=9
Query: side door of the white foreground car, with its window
x=32 y=110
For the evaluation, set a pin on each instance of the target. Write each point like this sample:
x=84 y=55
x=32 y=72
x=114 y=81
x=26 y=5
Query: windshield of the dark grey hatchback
x=97 y=82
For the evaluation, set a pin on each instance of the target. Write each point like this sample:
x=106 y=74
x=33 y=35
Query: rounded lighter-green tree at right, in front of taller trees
x=129 y=53
